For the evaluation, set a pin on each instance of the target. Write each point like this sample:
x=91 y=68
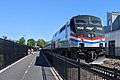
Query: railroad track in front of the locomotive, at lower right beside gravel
x=105 y=72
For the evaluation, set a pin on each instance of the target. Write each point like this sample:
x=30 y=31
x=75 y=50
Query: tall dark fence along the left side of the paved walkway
x=10 y=52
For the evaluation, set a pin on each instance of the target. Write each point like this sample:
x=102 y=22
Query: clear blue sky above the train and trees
x=40 y=19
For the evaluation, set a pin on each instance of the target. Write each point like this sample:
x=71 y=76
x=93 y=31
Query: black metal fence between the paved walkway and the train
x=74 y=70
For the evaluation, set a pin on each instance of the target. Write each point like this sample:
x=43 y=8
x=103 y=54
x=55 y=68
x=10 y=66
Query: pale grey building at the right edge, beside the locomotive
x=112 y=34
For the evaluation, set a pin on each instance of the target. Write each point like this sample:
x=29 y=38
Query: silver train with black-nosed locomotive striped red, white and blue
x=81 y=37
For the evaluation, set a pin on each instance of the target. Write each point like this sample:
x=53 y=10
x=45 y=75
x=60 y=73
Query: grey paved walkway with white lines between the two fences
x=31 y=67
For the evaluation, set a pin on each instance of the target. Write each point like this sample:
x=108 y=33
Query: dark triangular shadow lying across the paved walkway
x=41 y=61
